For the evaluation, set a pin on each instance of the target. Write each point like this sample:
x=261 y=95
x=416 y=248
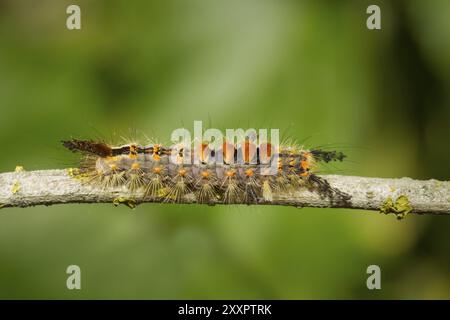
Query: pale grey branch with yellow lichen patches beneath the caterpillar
x=398 y=196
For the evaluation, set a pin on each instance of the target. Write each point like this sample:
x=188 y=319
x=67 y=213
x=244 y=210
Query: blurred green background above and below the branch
x=310 y=68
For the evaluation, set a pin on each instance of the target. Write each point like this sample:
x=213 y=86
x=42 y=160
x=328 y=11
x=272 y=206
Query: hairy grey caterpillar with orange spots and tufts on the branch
x=234 y=173
